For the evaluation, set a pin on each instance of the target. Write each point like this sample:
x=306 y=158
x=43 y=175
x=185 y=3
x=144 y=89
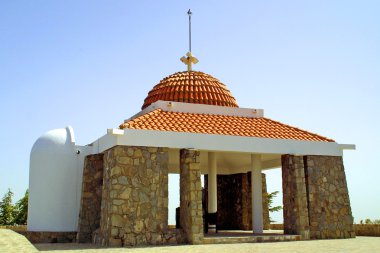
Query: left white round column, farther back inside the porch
x=212 y=186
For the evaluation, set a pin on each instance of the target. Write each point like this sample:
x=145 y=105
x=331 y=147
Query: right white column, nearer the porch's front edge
x=256 y=189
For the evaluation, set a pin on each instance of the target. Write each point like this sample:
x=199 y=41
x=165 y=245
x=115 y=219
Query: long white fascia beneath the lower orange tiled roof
x=213 y=142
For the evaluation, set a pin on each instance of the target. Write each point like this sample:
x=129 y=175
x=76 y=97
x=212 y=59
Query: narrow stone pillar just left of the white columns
x=191 y=196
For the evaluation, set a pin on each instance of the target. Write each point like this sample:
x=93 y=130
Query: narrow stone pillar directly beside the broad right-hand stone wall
x=296 y=218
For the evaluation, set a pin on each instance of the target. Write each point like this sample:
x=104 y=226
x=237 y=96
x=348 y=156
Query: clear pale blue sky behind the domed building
x=90 y=64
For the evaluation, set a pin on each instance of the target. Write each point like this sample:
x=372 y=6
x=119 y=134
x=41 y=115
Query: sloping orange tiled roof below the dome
x=219 y=124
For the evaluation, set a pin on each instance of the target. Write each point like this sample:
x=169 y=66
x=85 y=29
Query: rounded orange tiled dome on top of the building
x=191 y=87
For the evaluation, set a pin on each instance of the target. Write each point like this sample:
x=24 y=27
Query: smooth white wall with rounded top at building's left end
x=55 y=179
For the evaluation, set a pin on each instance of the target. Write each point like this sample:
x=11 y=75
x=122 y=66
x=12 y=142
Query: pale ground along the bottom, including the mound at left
x=12 y=242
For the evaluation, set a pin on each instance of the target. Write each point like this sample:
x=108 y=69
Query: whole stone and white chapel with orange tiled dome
x=114 y=191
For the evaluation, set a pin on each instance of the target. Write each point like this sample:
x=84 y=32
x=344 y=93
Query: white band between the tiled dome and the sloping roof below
x=169 y=106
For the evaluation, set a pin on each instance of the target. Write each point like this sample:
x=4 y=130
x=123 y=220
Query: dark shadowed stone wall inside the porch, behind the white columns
x=235 y=201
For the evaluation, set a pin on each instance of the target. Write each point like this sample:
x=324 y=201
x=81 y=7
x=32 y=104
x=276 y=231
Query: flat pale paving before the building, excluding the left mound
x=359 y=244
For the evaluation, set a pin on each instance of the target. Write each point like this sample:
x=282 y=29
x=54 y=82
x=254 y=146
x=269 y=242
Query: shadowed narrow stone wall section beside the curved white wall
x=89 y=215
